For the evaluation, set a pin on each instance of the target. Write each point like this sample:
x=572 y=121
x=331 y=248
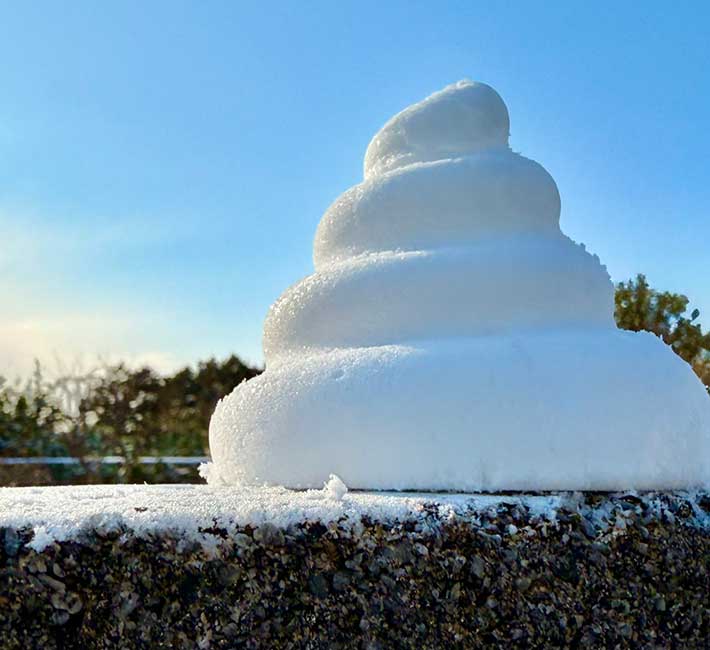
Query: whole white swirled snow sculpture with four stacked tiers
x=452 y=338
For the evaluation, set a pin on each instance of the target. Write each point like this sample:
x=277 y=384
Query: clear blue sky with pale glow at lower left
x=163 y=165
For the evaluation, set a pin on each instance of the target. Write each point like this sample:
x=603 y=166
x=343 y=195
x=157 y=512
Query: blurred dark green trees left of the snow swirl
x=116 y=411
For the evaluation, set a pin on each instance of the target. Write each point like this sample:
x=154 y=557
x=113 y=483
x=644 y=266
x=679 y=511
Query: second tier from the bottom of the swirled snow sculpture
x=486 y=288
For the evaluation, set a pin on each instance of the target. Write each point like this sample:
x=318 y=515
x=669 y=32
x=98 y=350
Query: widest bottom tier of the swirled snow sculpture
x=550 y=410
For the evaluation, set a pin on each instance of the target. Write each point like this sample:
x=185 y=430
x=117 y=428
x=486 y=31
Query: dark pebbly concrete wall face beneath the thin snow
x=509 y=581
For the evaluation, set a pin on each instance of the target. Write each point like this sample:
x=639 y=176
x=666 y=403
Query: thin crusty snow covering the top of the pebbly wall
x=57 y=514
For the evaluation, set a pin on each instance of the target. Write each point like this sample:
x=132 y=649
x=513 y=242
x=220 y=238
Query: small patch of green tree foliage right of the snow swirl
x=638 y=307
